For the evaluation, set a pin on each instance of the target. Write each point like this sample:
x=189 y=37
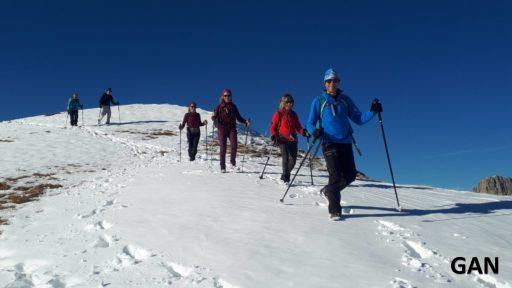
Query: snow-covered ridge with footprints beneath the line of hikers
x=129 y=214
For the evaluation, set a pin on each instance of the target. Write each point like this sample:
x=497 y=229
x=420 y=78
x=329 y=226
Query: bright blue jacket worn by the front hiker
x=335 y=117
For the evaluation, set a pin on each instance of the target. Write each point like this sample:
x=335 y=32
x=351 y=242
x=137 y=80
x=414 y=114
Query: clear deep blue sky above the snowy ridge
x=442 y=69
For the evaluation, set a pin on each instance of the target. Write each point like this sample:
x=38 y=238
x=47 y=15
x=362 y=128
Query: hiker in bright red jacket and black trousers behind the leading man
x=283 y=131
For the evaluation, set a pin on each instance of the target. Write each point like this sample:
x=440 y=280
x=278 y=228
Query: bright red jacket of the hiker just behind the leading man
x=286 y=125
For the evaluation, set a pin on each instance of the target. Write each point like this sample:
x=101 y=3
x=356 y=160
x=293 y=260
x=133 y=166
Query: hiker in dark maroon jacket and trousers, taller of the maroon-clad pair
x=225 y=116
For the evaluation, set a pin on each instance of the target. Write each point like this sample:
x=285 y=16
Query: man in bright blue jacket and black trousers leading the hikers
x=329 y=120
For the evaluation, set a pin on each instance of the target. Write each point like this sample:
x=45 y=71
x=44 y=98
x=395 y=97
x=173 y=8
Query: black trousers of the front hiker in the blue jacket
x=342 y=171
